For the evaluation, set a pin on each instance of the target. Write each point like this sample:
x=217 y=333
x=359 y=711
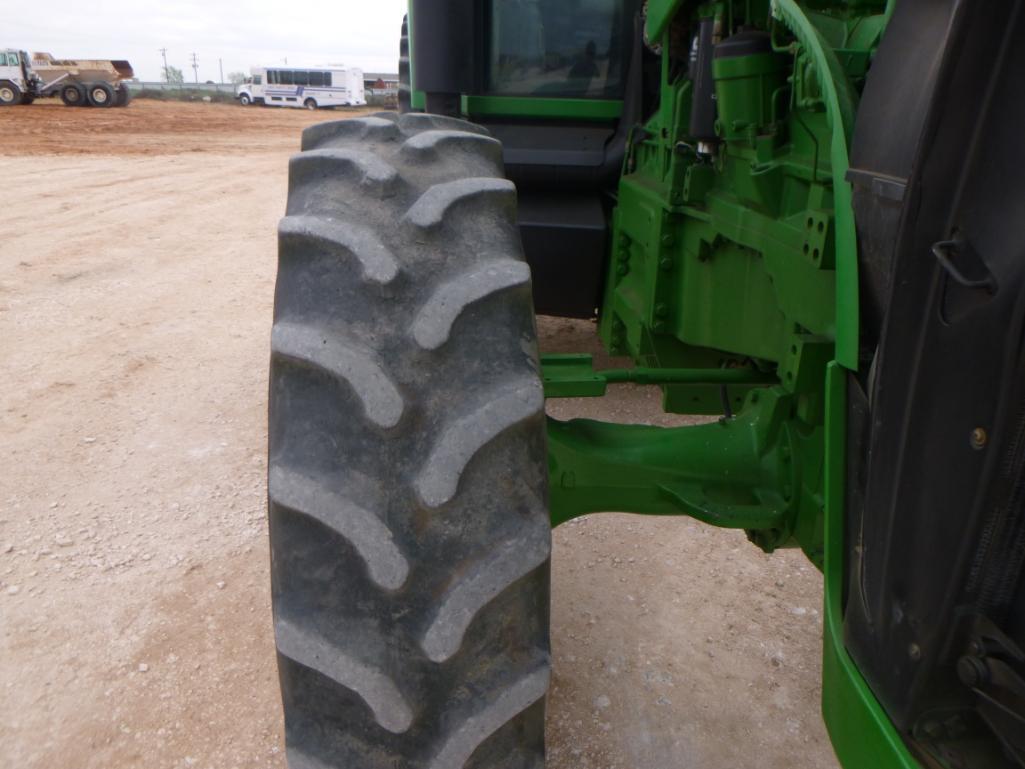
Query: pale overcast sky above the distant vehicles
x=242 y=33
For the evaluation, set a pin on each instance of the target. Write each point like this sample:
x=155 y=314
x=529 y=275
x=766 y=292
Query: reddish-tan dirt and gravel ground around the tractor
x=137 y=271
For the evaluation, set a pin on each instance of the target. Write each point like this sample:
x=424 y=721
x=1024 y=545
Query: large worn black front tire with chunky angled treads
x=409 y=533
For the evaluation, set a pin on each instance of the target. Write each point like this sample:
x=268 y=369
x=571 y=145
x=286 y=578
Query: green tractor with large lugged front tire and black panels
x=806 y=219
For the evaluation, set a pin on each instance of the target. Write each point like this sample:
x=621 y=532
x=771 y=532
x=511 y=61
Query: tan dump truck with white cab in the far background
x=79 y=83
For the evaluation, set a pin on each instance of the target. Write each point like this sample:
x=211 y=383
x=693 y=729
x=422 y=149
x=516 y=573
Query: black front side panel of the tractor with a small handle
x=935 y=604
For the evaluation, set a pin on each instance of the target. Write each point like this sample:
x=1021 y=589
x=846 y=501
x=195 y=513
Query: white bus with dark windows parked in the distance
x=289 y=87
